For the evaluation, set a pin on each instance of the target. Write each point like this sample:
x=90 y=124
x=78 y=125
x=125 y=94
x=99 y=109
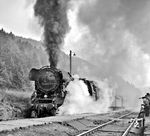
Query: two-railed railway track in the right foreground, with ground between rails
x=116 y=127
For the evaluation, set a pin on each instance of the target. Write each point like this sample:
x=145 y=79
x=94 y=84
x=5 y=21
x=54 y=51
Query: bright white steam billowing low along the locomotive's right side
x=78 y=99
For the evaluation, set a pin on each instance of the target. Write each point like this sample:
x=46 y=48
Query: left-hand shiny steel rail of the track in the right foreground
x=85 y=133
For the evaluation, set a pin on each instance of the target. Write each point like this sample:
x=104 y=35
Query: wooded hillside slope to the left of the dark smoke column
x=17 y=57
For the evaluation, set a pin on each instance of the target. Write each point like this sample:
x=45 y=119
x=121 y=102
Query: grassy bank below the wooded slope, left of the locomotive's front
x=13 y=104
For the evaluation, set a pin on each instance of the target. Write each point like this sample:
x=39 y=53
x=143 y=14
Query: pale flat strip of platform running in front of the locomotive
x=12 y=125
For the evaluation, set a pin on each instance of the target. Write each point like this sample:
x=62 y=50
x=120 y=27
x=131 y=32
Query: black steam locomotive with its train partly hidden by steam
x=50 y=90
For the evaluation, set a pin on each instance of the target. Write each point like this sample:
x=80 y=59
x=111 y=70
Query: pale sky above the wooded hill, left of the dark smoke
x=17 y=16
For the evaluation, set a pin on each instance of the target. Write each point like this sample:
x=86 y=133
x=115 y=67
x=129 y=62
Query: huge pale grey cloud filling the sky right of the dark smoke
x=113 y=36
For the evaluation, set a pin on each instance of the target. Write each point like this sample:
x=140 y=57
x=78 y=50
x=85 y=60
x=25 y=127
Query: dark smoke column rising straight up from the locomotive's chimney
x=53 y=17
